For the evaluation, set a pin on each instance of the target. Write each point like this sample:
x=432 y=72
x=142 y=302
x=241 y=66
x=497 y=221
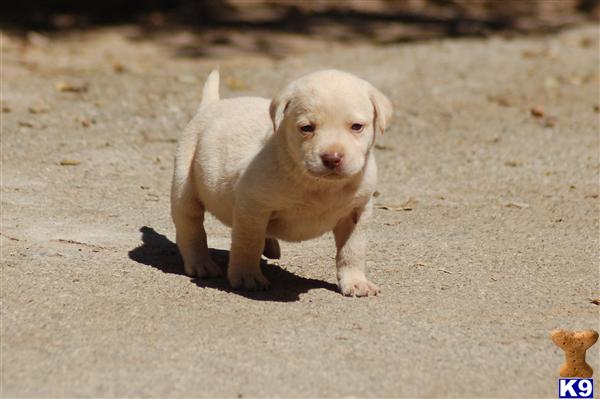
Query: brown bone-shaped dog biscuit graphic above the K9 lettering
x=575 y=343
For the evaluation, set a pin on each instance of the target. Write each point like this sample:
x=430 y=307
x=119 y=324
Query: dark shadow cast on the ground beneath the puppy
x=159 y=252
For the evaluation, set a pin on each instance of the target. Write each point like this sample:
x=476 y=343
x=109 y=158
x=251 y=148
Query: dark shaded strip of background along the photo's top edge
x=418 y=17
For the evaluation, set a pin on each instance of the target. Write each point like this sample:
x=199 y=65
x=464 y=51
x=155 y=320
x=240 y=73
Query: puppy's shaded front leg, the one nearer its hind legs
x=247 y=242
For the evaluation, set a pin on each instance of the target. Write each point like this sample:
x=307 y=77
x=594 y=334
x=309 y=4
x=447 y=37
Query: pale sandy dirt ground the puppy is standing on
x=499 y=247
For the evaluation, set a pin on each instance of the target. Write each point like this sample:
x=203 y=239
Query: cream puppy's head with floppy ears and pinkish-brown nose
x=329 y=119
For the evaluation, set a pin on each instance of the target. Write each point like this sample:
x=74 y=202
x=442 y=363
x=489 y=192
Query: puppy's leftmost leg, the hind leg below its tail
x=191 y=239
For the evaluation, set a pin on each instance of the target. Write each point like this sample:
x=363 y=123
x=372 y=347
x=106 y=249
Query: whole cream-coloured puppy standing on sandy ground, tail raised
x=291 y=168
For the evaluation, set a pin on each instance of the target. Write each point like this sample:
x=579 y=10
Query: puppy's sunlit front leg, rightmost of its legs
x=350 y=260
